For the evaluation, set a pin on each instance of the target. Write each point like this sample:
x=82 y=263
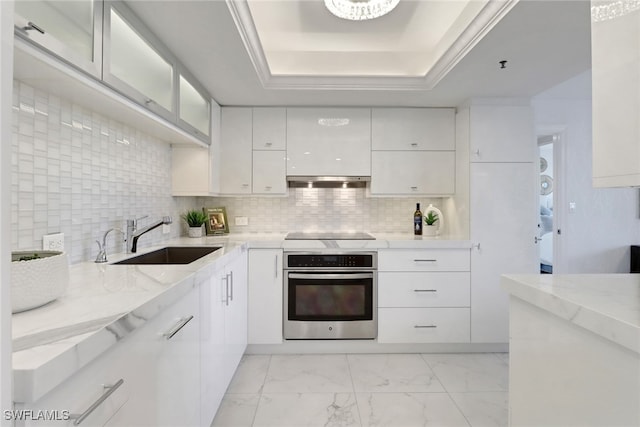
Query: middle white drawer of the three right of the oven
x=420 y=289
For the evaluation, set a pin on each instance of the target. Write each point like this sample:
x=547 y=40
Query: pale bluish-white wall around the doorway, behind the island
x=596 y=237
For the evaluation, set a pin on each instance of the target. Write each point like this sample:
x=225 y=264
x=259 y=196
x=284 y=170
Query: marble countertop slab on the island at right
x=605 y=304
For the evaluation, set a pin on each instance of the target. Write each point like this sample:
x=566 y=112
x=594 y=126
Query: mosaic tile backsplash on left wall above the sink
x=79 y=173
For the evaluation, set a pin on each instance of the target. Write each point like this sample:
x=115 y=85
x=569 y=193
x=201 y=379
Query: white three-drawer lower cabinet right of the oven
x=424 y=296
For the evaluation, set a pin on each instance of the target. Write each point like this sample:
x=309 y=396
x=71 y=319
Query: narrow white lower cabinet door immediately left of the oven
x=265 y=296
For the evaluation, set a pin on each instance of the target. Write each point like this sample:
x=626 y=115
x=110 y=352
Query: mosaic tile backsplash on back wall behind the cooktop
x=321 y=209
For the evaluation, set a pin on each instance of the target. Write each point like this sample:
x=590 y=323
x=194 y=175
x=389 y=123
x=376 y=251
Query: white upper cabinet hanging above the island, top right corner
x=615 y=59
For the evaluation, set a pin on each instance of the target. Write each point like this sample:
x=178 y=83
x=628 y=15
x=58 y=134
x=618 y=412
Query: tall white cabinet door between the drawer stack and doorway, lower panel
x=504 y=225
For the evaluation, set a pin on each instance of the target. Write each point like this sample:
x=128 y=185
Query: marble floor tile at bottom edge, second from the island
x=409 y=410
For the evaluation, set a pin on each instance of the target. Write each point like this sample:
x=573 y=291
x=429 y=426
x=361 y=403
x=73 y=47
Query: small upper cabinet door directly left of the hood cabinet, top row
x=269 y=128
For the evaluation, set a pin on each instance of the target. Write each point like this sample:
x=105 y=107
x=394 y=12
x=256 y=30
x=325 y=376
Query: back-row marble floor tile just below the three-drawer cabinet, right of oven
x=392 y=373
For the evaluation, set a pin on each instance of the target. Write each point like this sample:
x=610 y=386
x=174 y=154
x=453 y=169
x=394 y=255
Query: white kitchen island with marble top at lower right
x=574 y=350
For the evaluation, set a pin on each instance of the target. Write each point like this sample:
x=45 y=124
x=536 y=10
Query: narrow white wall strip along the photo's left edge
x=6 y=77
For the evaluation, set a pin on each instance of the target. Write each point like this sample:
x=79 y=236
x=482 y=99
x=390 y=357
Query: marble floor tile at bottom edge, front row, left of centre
x=307 y=409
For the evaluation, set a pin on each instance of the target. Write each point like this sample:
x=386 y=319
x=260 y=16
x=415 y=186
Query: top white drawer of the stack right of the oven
x=424 y=260
